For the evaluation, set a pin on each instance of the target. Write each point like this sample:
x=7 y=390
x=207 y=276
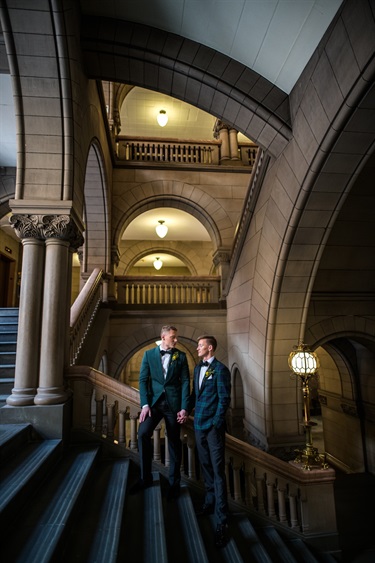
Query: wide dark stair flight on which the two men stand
x=61 y=504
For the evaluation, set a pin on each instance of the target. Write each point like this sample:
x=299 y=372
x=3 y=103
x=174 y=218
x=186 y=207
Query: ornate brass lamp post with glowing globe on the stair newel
x=305 y=364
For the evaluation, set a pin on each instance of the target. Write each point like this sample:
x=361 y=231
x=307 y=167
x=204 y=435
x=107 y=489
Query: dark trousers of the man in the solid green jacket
x=158 y=411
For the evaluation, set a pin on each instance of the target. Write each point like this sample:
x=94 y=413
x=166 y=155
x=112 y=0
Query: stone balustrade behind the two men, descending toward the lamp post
x=292 y=498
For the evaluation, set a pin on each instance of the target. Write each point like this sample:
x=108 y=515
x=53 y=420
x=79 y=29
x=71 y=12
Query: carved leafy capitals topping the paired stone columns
x=43 y=227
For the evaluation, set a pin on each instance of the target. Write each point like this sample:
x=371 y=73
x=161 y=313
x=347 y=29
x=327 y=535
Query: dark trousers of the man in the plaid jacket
x=211 y=452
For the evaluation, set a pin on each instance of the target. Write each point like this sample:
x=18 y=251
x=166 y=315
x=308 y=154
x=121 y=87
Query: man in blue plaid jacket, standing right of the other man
x=211 y=398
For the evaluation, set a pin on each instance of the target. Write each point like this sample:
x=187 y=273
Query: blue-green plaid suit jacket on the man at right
x=212 y=400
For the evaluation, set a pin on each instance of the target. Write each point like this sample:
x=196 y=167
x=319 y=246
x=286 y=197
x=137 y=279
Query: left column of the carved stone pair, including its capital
x=30 y=310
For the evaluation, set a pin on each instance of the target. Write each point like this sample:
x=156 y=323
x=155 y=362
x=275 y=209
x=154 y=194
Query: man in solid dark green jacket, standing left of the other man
x=164 y=387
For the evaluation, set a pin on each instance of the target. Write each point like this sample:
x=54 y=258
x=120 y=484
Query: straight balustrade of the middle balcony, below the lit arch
x=167 y=290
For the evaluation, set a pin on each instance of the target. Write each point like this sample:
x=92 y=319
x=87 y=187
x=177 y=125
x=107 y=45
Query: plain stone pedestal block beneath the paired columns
x=49 y=421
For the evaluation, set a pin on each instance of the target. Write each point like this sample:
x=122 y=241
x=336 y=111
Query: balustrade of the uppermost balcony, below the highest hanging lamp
x=181 y=152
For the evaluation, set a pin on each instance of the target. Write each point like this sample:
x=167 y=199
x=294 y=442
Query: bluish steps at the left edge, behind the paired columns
x=8 y=345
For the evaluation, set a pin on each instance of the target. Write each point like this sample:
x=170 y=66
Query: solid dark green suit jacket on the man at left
x=176 y=384
